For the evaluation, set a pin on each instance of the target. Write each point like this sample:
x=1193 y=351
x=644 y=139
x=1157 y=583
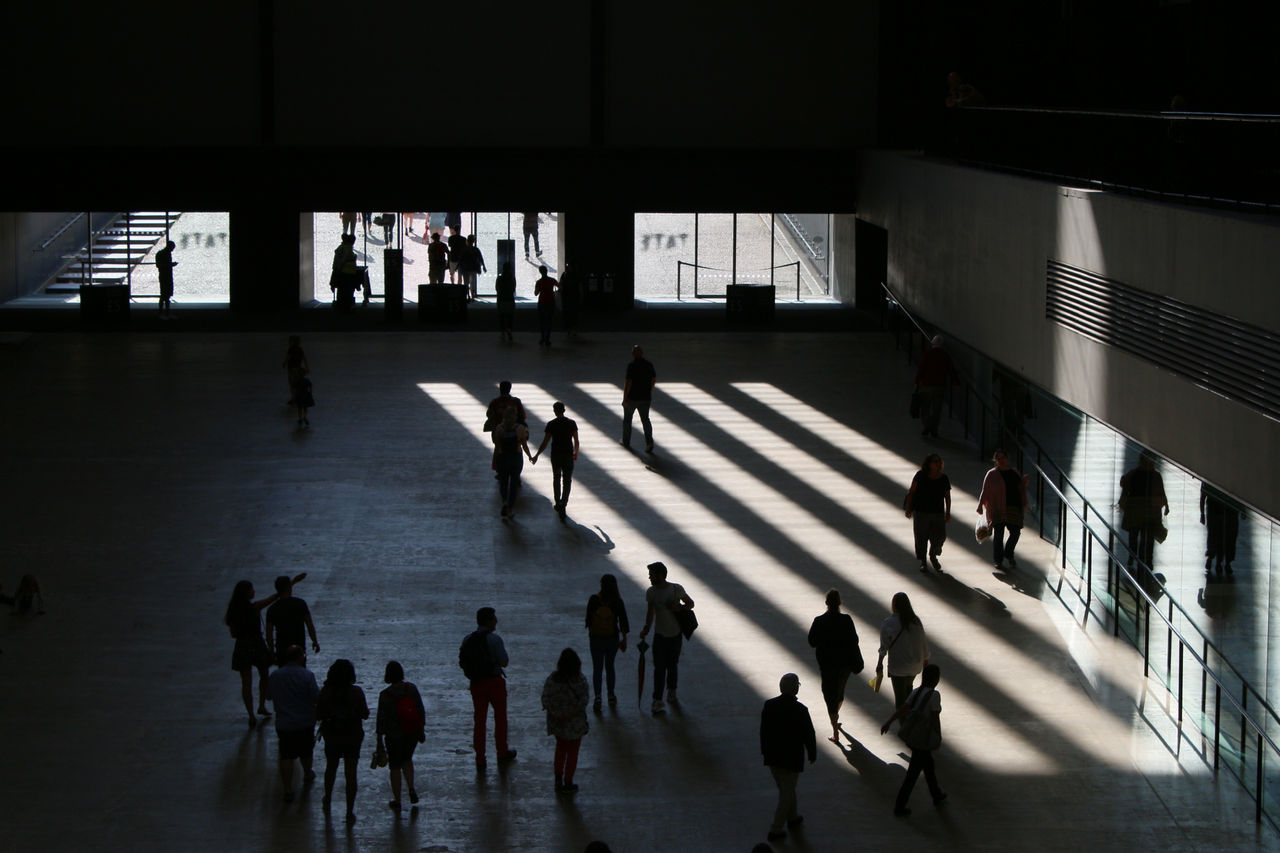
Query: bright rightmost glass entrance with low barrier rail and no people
x=698 y=256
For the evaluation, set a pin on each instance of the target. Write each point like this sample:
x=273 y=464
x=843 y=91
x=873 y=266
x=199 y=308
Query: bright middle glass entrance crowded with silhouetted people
x=413 y=231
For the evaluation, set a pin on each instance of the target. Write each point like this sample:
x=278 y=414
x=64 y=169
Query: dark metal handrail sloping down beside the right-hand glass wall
x=1045 y=478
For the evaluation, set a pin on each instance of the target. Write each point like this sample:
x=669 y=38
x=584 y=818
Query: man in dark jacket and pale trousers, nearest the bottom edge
x=787 y=736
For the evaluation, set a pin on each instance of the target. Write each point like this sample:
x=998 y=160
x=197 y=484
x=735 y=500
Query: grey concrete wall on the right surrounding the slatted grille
x=967 y=250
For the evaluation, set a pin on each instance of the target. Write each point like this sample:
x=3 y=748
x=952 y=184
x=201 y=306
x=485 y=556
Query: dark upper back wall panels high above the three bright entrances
x=674 y=75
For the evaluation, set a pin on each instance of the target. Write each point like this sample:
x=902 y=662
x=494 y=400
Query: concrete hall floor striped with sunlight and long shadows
x=145 y=475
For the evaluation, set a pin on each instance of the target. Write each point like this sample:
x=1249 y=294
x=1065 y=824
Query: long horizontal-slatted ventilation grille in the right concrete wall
x=1229 y=358
